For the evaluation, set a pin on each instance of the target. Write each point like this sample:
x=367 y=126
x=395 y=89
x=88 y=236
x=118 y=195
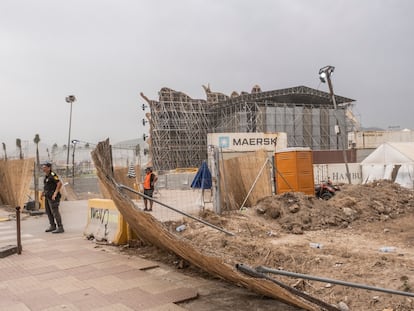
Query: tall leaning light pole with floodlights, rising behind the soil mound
x=325 y=76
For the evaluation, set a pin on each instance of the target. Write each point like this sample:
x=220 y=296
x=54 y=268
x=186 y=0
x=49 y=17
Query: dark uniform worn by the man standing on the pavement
x=52 y=206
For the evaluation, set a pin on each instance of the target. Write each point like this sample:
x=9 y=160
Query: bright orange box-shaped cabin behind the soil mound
x=294 y=171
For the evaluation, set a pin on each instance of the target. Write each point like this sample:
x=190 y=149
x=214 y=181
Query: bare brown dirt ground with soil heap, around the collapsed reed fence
x=278 y=232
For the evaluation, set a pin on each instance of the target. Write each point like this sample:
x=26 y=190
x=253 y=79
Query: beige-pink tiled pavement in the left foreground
x=68 y=272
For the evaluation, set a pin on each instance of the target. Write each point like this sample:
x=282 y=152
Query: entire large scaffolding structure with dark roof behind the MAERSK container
x=179 y=124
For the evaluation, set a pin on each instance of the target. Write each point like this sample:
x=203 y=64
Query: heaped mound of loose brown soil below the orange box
x=378 y=201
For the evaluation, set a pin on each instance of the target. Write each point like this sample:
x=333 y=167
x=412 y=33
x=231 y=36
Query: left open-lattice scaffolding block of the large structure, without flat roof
x=178 y=130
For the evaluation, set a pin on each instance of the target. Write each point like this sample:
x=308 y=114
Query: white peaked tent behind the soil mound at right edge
x=393 y=161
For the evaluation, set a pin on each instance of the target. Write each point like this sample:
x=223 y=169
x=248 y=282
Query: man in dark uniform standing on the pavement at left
x=51 y=193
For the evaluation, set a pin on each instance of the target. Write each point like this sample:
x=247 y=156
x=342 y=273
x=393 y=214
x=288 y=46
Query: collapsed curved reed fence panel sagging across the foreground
x=149 y=229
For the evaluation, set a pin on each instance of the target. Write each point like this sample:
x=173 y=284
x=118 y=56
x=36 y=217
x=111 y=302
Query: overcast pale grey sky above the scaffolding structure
x=106 y=52
